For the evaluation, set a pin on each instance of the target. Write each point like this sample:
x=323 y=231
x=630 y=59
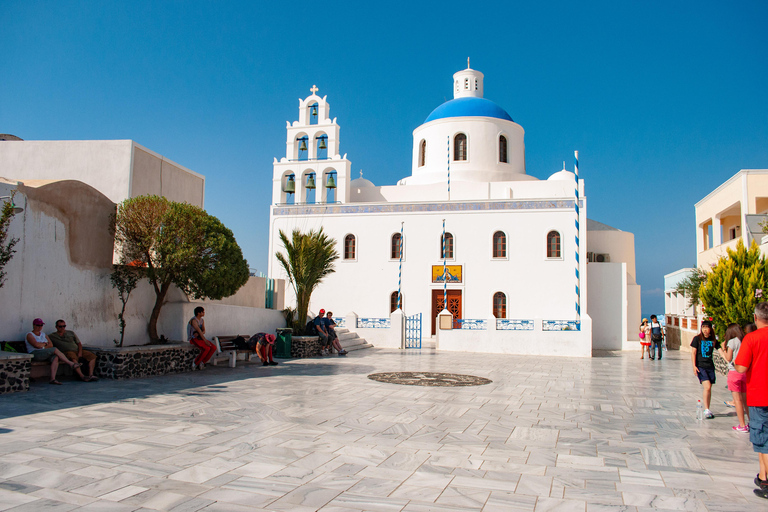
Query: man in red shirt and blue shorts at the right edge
x=753 y=359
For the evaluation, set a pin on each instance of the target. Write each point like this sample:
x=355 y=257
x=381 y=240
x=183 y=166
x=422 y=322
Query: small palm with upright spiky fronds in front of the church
x=308 y=259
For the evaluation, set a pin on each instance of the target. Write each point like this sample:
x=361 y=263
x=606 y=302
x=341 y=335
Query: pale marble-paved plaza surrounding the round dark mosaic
x=606 y=433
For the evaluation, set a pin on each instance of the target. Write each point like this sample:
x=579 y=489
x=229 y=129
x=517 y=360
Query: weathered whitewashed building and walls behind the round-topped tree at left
x=68 y=190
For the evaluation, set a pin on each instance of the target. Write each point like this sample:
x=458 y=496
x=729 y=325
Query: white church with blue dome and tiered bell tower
x=509 y=259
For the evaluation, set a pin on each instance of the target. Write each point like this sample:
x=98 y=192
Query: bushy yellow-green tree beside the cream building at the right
x=733 y=287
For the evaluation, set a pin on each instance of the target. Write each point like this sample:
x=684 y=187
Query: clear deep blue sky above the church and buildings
x=663 y=100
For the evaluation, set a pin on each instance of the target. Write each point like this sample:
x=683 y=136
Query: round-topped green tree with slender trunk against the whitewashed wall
x=177 y=243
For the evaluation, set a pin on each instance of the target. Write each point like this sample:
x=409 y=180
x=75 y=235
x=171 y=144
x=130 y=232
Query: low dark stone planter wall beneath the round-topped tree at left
x=144 y=361
